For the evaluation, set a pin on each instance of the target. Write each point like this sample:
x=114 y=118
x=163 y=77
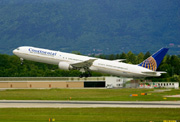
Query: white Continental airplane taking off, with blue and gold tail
x=85 y=64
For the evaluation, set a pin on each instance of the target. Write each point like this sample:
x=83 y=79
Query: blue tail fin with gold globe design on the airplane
x=153 y=61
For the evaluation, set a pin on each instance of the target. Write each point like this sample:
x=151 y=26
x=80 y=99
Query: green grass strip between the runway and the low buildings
x=86 y=94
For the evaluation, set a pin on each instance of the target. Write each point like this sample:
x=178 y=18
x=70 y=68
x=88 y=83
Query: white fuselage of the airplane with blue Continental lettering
x=99 y=65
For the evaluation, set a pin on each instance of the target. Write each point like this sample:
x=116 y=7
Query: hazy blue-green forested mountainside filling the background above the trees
x=91 y=26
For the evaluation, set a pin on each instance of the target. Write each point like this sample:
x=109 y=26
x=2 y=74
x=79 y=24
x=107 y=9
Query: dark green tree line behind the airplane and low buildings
x=10 y=66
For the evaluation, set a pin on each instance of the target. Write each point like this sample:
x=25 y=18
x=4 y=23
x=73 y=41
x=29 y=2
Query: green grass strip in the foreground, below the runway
x=88 y=114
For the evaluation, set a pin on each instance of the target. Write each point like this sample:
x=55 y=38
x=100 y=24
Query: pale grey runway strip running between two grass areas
x=86 y=104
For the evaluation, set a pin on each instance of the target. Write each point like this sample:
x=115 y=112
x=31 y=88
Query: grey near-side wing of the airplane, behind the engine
x=83 y=64
